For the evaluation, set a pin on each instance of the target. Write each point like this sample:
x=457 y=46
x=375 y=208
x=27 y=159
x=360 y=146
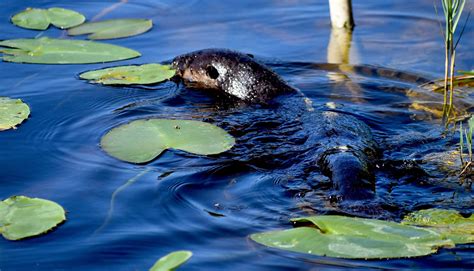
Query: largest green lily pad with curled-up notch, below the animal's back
x=354 y=238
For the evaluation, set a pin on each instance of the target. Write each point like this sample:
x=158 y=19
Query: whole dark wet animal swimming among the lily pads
x=340 y=145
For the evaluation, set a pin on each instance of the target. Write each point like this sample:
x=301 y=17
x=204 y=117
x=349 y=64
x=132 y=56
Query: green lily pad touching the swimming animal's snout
x=127 y=75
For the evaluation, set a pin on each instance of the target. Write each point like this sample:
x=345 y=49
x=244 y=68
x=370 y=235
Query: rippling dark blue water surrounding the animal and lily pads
x=209 y=205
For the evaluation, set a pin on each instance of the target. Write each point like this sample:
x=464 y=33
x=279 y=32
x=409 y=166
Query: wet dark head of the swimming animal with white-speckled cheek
x=233 y=73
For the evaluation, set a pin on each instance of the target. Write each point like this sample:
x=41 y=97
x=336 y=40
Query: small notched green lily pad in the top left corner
x=40 y=19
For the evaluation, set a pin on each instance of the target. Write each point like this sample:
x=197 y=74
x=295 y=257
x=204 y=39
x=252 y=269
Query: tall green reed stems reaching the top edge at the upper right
x=452 y=10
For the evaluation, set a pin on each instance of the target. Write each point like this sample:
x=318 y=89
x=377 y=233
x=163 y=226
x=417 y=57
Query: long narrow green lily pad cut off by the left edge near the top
x=59 y=51
